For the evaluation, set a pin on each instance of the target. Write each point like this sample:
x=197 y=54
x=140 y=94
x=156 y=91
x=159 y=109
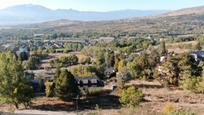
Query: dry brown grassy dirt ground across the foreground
x=156 y=97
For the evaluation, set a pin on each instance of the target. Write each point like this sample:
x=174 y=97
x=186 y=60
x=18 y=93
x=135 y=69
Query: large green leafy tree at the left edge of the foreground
x=14 y=87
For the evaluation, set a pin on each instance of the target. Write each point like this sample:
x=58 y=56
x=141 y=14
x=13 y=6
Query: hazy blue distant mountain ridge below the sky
x=26 y=14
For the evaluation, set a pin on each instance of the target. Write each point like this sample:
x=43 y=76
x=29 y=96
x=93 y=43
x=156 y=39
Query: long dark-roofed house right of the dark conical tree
x=89 y=81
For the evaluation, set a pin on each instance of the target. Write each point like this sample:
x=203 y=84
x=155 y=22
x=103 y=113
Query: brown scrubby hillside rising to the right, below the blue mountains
x=184 y=21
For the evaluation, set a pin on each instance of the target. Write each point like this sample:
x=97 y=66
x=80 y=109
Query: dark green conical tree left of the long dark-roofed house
x=66 y=85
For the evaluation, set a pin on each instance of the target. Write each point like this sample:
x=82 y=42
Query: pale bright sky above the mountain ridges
x=107 y=5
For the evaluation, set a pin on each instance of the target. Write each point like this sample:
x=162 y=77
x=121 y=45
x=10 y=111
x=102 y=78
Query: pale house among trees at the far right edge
x=198 y=55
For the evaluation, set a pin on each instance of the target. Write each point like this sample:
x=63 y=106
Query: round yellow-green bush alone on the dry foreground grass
x=131 y=96
